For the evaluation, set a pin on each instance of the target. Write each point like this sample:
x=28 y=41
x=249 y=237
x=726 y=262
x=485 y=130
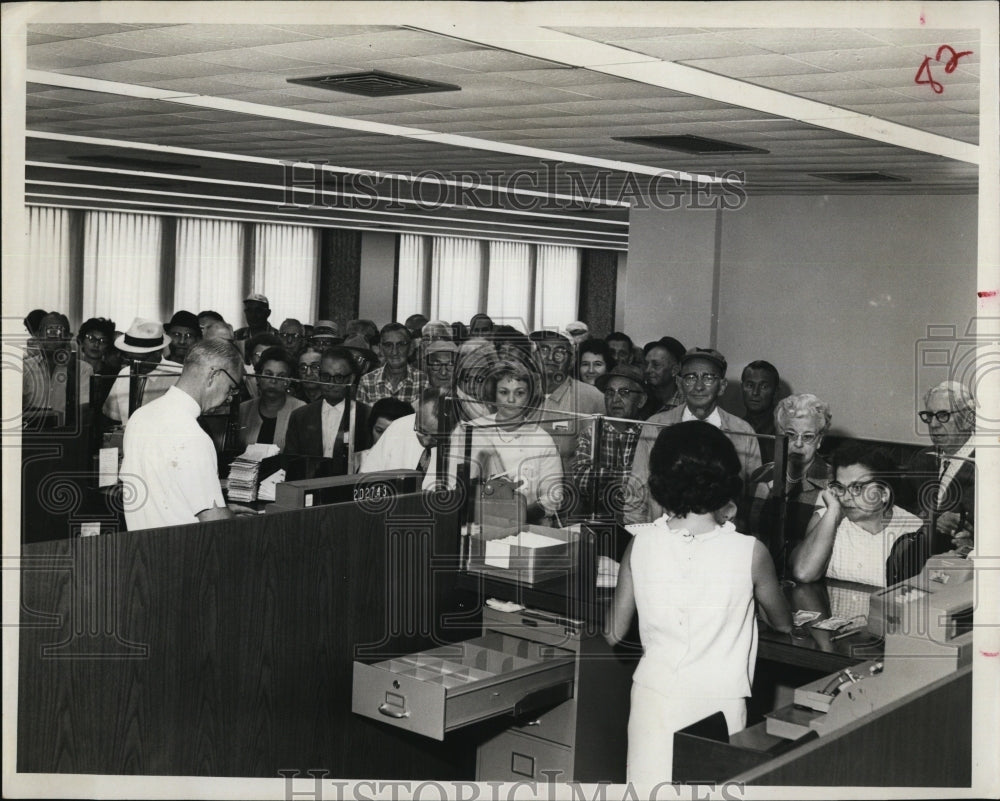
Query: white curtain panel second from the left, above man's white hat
x=121 y=267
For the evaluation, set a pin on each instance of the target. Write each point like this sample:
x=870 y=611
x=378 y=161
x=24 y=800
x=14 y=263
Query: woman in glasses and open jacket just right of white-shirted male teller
x=264 y=419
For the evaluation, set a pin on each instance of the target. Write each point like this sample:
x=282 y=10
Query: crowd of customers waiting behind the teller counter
x=325 y=394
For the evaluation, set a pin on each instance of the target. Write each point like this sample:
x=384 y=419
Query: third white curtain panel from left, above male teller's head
x=209 y=267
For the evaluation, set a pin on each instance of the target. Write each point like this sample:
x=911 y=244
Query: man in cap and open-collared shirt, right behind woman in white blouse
x=565 y=396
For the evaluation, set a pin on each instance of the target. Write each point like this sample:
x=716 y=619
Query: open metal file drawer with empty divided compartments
x=433 y=692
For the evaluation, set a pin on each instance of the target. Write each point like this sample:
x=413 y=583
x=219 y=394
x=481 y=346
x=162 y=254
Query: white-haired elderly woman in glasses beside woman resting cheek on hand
x=804 y=420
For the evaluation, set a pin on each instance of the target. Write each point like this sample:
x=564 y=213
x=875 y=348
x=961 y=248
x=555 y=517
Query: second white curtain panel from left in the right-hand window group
x=456 y=272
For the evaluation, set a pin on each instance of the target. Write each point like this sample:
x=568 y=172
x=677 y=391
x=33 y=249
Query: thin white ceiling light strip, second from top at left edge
x=225 y=156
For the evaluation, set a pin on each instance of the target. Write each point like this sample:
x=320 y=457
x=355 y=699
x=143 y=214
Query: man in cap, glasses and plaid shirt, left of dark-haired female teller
x=624 y=395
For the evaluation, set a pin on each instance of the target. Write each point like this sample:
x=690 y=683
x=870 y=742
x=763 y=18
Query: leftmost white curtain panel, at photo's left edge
x=47 y=277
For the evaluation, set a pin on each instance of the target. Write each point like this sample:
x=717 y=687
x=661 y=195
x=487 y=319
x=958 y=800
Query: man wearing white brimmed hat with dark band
x=143 y=344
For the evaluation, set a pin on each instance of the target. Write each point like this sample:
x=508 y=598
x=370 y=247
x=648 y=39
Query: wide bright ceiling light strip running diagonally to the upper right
x=493 y=28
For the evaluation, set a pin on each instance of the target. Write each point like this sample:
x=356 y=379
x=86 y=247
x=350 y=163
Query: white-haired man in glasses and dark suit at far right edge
x=944 y=477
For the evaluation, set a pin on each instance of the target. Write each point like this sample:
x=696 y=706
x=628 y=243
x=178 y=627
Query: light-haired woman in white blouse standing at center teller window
x=509 y=444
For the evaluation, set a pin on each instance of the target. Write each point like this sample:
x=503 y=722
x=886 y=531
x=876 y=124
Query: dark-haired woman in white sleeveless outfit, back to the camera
x=692 y=580
